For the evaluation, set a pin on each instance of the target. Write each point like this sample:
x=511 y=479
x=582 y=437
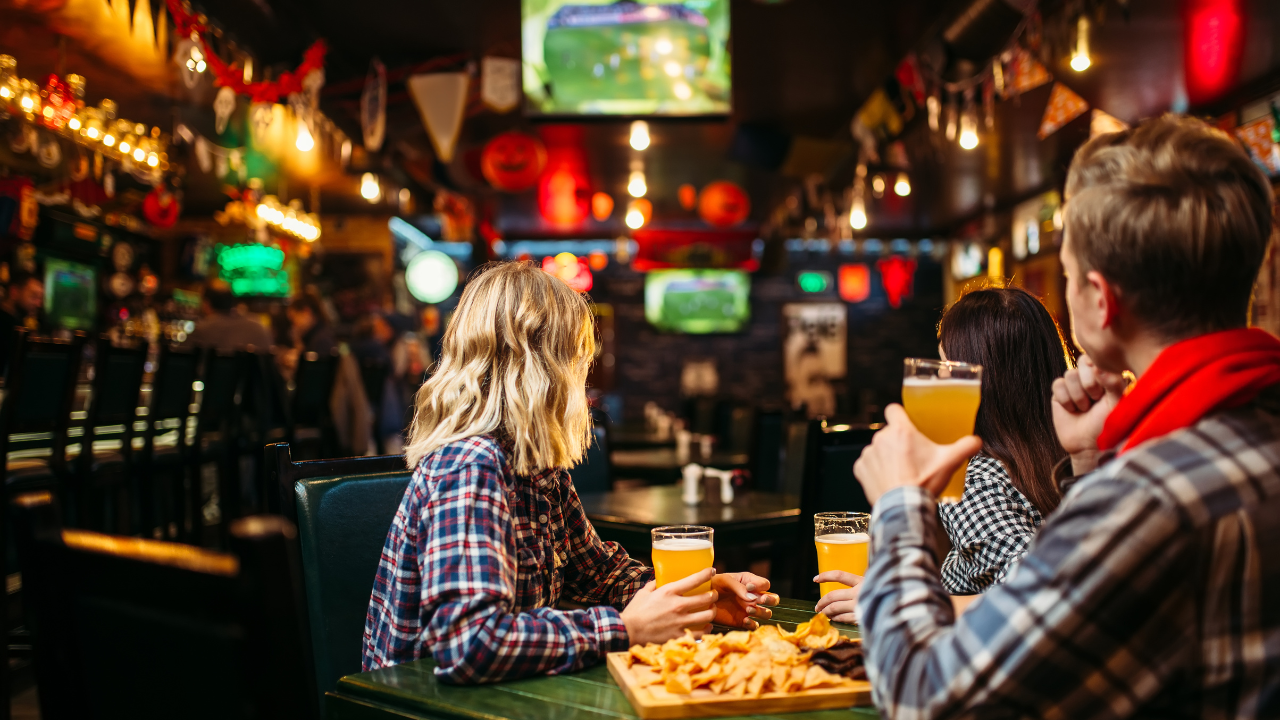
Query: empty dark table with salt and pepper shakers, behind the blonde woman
x=628 y=516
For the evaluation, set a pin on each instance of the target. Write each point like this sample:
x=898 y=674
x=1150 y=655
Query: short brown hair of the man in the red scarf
x=1177 y=217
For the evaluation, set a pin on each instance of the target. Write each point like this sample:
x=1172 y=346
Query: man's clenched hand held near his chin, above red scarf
x=1082 y=400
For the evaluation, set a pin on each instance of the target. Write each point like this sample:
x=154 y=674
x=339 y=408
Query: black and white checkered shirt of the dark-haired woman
x=990 y=528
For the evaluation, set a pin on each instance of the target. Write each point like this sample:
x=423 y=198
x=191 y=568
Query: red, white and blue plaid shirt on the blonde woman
x=476 y=564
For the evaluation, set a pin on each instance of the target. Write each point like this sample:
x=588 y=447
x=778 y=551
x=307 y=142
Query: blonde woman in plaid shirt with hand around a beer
x=491 y=536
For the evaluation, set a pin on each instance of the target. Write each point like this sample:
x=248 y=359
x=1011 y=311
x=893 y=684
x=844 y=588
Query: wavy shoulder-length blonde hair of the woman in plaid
x=514 y=364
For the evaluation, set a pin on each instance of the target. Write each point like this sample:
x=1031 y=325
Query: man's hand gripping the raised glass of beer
x=900 y=455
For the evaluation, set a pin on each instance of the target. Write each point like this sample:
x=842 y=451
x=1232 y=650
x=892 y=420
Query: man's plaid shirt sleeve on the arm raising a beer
x=1078 y=630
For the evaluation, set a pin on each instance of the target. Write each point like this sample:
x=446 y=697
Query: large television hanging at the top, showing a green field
x=605 y=58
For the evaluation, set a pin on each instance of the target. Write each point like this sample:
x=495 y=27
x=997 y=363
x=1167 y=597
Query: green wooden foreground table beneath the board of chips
x=410 y=692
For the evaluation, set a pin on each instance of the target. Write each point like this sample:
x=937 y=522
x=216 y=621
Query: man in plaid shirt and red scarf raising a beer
x=1154 y=590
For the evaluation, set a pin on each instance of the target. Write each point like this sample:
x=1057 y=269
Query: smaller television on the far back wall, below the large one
x=698 y=302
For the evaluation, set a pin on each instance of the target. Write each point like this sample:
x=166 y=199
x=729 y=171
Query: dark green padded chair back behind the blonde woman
x=344 y=511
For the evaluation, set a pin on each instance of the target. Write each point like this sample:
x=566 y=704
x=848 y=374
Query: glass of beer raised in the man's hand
x=941 y=399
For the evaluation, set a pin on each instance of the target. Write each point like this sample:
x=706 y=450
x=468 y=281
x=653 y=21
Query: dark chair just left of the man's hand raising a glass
x=830 y=486
